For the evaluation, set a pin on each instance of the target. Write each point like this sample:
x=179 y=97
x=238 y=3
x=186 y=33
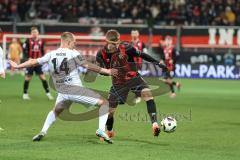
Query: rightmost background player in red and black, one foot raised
x=169 y=57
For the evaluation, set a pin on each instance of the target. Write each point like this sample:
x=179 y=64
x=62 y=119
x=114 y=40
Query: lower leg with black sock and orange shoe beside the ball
x=151 y=107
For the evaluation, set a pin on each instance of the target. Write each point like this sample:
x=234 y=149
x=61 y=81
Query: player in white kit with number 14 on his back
x=66 y=79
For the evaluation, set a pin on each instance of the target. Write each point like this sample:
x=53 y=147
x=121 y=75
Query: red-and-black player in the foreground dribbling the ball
x=120 y=55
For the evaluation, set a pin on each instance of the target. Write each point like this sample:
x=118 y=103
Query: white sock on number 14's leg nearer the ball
x=103 y=116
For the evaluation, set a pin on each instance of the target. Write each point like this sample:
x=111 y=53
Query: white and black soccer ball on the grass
x=169 y=124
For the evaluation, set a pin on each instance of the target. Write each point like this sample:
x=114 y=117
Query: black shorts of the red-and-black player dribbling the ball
x=119 y=93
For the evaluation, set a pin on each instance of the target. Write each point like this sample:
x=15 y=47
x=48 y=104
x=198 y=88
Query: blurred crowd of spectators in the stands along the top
x=162 y=12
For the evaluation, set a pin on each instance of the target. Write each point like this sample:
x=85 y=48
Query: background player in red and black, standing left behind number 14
x=34 y=48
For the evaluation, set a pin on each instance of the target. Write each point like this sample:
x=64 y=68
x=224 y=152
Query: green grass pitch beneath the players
x=208 y=114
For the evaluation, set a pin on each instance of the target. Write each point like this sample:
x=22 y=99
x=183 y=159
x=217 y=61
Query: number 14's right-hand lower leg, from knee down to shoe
x=103 y=116
